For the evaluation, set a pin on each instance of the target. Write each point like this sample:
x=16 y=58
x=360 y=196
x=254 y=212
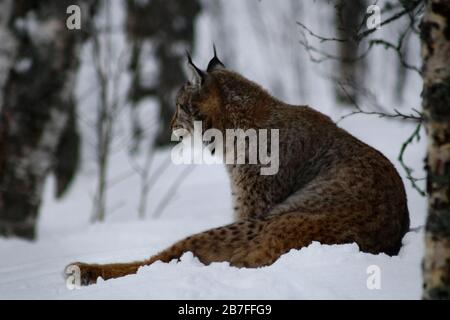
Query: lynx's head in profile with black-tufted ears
x=199 y=98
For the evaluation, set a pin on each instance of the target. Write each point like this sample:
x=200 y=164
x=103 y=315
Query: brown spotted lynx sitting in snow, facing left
x=330 y=186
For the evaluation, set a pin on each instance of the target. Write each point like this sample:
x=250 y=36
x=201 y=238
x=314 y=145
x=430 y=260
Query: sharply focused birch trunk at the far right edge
x=435 y=35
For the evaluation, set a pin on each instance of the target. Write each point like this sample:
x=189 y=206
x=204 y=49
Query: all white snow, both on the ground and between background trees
x=34 y=270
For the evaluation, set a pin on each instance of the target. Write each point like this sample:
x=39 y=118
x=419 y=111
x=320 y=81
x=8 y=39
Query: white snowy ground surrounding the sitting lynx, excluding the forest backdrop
x=34 y=270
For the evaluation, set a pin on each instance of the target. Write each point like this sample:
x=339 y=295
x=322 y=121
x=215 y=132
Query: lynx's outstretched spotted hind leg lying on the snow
x=249 y=243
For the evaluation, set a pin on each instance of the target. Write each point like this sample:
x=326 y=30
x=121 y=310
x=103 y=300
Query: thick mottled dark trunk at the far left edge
x=36 y=103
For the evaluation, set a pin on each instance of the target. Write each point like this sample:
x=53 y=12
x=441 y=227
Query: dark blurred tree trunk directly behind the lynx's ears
x=168 y=26
